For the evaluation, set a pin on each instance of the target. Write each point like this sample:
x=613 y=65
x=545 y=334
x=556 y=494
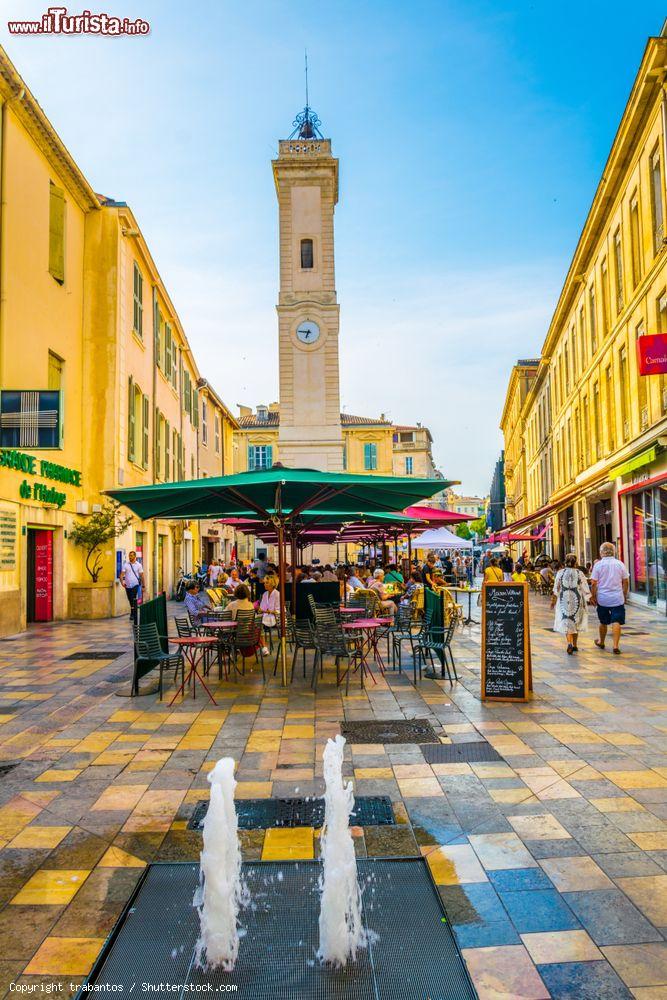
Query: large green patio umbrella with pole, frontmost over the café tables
x=281 y=496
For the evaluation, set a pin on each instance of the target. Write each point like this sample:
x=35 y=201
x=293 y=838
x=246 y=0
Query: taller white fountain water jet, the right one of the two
x=341 y=929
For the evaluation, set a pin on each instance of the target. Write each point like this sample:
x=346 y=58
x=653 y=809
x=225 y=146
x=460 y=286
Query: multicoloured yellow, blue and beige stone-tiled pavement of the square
x=551 y=863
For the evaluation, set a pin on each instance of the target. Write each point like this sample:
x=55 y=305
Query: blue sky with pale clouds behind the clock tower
x=471 y=137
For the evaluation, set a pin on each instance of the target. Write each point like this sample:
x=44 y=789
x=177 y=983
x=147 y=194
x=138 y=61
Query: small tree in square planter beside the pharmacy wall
x=93 y=599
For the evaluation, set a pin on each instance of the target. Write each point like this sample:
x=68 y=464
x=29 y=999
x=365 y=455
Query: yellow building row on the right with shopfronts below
x=592 y=428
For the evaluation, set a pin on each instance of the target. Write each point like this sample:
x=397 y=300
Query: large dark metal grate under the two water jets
x=154 y=940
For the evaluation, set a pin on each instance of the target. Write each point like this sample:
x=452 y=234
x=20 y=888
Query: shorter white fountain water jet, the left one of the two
x=221 y=890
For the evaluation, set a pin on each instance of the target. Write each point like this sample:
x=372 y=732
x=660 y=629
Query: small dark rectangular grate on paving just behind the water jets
x=264 y=814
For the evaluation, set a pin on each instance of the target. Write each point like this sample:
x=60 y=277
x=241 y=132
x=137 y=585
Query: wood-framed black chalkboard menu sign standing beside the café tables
x=506 y=674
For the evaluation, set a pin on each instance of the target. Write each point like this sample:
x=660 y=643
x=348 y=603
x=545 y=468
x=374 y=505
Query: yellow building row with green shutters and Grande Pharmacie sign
x=98 y=384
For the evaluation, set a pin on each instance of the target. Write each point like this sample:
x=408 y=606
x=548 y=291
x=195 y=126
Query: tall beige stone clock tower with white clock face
x=306 y=179
